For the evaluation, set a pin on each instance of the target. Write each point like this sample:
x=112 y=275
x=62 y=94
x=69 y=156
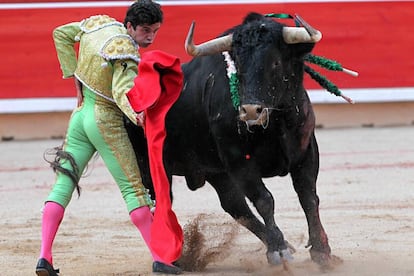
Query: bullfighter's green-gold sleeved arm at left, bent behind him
x=65 y=38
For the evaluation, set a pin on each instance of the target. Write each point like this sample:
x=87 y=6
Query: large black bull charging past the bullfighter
x=271 y=133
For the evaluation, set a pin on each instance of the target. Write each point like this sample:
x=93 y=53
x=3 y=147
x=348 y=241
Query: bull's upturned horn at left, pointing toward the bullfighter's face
x=211 y=47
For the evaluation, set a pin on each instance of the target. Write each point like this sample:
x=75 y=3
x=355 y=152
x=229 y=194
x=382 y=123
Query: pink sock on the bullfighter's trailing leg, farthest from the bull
x=52 y=216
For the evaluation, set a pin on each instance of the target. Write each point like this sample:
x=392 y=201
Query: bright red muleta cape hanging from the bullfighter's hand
x=157 y=86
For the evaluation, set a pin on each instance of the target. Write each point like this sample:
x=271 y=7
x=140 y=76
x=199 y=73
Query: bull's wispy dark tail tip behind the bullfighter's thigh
x=61 y=155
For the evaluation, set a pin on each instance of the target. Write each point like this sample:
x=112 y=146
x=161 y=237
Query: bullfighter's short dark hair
x=144 y=12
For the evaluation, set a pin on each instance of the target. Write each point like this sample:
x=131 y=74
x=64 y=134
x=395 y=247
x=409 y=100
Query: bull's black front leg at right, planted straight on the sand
x=304 y=181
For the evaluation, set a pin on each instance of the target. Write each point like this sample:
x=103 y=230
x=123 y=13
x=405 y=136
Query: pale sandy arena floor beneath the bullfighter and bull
x=366 y=188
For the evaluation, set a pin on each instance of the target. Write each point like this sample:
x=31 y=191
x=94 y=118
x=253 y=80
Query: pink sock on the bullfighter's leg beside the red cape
x=142 y=218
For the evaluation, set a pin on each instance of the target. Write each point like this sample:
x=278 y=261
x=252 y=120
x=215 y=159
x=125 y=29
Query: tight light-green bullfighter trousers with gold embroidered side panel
x=98 y=125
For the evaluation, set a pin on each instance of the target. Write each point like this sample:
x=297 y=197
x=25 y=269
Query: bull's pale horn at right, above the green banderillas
x=305 y=34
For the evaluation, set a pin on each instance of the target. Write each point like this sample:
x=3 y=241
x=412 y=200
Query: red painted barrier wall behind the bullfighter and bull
x=373 y=38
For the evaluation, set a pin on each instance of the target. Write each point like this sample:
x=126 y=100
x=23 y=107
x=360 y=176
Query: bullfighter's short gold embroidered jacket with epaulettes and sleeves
x=103 y=45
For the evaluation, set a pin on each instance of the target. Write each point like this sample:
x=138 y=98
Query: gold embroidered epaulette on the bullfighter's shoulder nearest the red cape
x=120 y=47
